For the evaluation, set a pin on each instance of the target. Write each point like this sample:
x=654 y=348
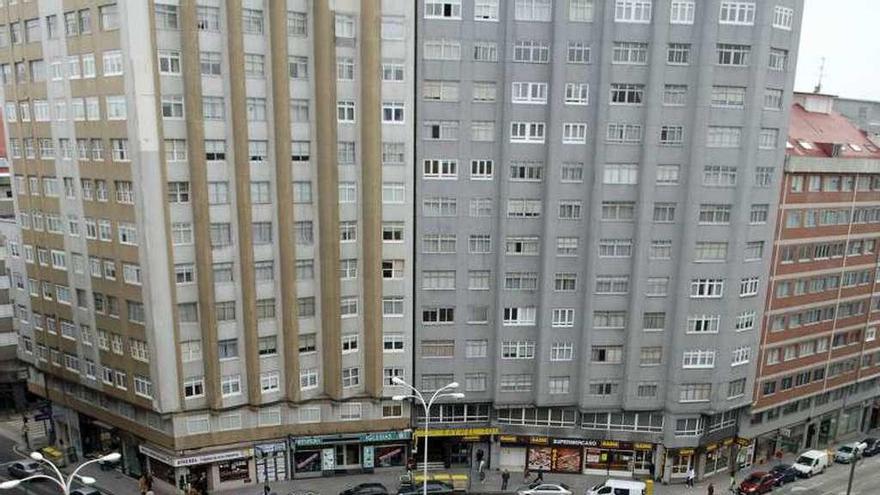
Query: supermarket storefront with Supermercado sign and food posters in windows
x=576 y=455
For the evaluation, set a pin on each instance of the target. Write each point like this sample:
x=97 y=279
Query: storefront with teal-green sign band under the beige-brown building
x=329 y=454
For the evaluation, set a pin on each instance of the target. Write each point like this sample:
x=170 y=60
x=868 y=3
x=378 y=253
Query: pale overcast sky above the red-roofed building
x=847 y=34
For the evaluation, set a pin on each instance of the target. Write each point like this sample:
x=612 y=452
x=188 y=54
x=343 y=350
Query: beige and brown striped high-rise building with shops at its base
x=216 y=241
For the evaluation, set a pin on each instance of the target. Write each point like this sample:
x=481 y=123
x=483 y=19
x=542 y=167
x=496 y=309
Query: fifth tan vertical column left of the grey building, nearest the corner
x=198 y=177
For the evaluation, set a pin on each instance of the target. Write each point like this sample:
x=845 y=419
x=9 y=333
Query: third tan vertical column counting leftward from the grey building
x=284 y=196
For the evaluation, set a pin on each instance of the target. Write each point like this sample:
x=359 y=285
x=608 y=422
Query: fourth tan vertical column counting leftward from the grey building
x=242 y=172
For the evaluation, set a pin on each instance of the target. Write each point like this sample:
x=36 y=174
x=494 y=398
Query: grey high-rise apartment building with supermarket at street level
x=596 y=196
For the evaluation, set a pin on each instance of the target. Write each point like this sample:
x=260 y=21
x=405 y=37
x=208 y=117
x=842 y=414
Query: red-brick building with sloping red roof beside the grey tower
x=818 y=368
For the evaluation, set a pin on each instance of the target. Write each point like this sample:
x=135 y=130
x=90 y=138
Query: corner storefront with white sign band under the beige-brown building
x=209 y=472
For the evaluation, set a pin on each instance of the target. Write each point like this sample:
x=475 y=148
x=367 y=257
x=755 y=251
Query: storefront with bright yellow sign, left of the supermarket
x=456 y=446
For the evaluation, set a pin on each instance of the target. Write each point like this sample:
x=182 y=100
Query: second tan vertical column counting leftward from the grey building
x=328 y=196
